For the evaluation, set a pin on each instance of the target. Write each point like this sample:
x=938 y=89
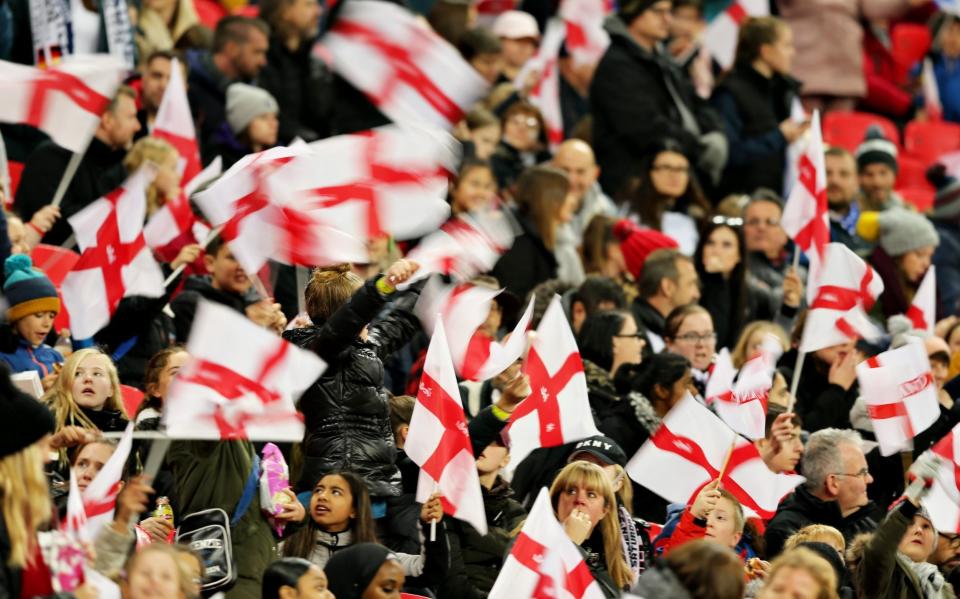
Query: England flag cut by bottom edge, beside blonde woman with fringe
x=543 y=562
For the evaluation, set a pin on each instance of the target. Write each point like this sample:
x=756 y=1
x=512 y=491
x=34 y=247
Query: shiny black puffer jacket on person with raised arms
x=346 y=412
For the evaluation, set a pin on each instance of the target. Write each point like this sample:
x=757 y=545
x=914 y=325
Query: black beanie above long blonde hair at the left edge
x=23 y=419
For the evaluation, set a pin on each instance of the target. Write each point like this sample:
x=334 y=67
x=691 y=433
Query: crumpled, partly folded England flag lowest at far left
x=91 y=510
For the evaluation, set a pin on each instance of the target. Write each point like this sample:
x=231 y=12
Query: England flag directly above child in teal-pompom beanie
x=115 y=261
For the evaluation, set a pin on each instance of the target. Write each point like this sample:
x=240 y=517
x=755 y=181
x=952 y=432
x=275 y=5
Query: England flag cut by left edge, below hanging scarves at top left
x=65 y=101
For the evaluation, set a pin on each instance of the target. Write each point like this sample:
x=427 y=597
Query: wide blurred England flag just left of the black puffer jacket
x=241 y=381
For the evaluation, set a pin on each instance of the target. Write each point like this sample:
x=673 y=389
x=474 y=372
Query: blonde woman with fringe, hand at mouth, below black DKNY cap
x=584 y=503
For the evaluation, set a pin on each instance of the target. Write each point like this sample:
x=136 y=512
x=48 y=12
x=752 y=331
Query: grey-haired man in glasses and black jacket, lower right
x=835 y=492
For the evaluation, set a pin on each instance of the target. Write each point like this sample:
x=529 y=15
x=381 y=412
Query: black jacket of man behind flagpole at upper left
x=100 y=172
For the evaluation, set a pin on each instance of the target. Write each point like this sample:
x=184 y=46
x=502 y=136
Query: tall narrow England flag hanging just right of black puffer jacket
x=439 y=441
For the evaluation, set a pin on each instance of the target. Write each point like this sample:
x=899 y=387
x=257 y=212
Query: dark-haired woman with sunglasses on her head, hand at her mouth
x=729 y=293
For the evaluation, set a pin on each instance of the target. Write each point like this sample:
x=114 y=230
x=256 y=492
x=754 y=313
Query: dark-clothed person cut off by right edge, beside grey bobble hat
x=945 y=216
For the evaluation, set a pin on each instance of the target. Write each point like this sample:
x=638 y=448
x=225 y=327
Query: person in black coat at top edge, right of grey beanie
x=300 y=82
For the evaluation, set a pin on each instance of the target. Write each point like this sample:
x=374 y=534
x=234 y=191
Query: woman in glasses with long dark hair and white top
x=667 y=197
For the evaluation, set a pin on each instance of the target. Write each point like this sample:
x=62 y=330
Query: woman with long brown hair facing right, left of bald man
x=543 y=202
